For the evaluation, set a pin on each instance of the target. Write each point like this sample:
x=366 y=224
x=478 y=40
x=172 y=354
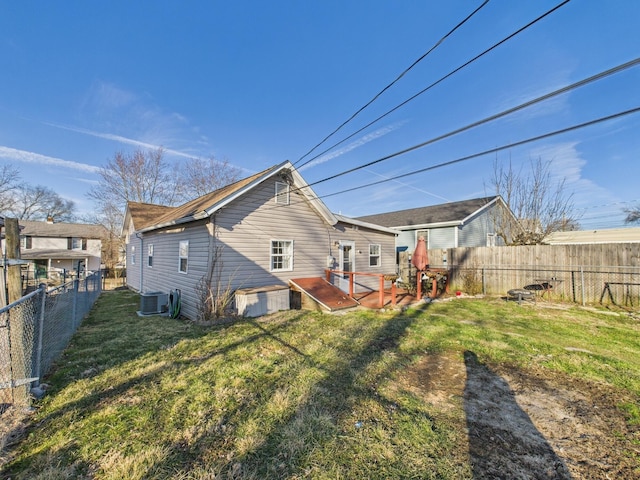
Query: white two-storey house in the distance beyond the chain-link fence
x=60 y=247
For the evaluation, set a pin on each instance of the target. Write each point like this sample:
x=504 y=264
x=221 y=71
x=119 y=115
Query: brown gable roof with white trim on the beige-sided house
x=202 y=207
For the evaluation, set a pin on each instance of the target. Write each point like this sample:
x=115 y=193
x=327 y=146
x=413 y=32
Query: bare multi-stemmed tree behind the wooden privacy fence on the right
x=539 y=206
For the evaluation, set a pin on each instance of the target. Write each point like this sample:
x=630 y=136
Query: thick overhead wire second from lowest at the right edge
x=573 y=86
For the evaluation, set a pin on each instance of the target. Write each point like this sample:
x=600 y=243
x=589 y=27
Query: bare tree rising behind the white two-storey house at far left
x=39 y=203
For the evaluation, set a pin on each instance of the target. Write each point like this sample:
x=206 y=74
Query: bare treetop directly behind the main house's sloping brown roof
x=201 y=176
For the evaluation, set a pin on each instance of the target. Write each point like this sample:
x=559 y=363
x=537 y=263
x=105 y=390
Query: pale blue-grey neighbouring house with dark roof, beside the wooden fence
x=468 y=223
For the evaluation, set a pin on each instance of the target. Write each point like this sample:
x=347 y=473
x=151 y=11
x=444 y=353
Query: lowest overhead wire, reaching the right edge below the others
x=492 y=150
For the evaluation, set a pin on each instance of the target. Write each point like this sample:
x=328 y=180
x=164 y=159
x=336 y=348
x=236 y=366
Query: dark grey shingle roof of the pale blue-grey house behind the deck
x=452 y=213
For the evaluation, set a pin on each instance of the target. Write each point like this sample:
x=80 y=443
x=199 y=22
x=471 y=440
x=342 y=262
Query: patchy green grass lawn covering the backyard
x=361 y=395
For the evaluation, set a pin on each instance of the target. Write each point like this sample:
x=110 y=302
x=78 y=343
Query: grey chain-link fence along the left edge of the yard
x=35 y=330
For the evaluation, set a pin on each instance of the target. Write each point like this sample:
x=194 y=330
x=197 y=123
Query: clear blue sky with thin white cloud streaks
x=257 y=83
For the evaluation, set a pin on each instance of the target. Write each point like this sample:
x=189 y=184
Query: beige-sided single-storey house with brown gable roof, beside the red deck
x=261 y=231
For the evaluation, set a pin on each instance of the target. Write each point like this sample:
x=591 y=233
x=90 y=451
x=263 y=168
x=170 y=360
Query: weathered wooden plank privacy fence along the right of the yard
x=595 y=273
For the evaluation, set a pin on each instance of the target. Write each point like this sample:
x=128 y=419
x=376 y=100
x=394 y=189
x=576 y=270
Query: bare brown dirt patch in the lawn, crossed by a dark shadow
x=529 y=424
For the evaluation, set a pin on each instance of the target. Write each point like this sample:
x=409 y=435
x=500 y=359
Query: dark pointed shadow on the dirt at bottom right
x=503 y=441
